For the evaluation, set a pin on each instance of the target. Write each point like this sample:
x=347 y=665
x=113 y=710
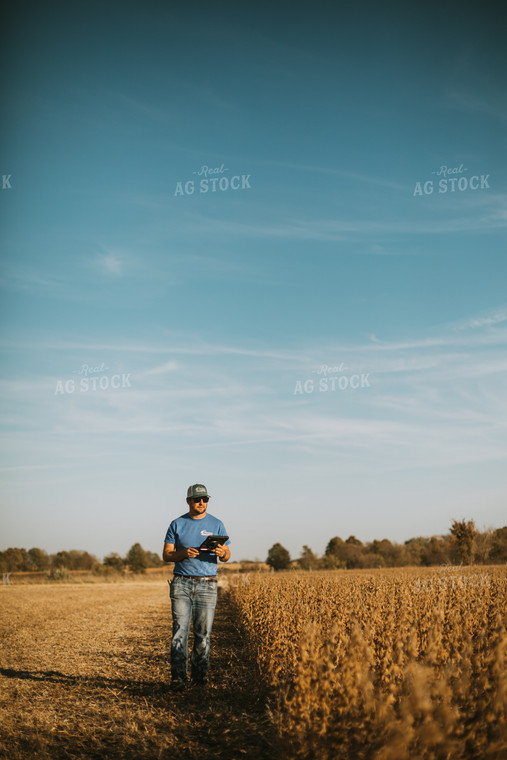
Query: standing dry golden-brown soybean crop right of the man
x=383 y=665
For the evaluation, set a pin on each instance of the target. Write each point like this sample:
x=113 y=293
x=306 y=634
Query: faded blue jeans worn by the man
x=191 y=600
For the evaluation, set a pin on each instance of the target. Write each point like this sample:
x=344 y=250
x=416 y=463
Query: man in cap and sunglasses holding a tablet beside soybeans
x=194 y=585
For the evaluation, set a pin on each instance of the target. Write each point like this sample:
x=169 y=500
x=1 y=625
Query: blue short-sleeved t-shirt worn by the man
x=187 y=531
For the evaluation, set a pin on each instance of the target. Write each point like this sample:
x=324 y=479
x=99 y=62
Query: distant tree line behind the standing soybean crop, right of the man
x=464 y=544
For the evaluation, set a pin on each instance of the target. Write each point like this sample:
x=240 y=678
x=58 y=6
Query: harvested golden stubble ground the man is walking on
x=84 y=673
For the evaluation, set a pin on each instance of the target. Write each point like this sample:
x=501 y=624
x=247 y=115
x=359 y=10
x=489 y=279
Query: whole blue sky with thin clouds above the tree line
x=216 y=317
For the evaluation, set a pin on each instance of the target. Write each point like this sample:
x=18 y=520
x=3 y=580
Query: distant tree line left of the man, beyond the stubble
x=136 y=560
